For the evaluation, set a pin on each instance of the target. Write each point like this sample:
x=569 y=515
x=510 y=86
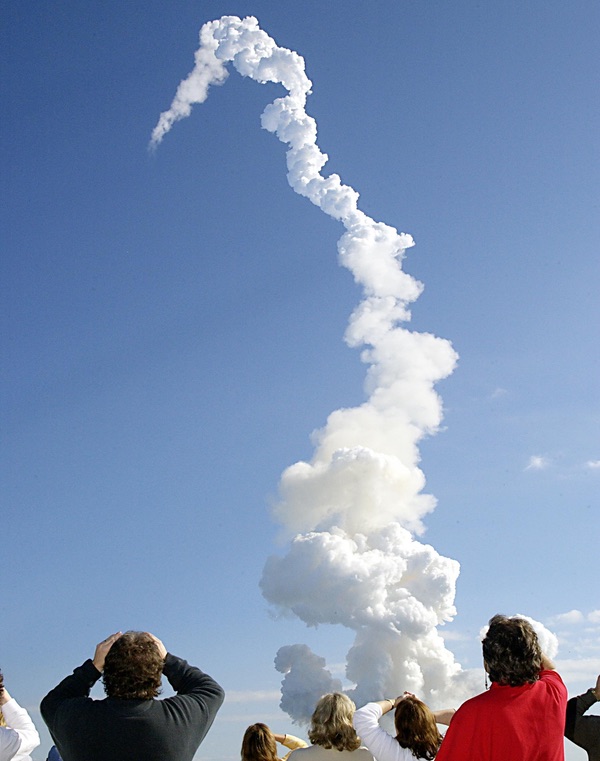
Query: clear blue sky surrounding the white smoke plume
x=172 y=326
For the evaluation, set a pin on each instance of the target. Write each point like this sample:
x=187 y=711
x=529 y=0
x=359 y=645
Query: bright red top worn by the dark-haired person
x=510 y=724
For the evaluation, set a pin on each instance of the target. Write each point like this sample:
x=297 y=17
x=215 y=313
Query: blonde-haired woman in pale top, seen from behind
x=331 y=732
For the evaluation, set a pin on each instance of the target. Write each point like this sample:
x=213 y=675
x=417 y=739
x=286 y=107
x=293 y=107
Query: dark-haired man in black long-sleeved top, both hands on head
x=130 y=724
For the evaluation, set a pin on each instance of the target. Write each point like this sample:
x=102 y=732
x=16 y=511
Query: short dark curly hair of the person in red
x=511 y=651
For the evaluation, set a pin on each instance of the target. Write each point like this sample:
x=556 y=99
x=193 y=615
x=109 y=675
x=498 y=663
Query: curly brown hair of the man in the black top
x=133 y=668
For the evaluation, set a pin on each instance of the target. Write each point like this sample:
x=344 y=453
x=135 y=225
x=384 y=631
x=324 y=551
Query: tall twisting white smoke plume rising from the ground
x=356 y=507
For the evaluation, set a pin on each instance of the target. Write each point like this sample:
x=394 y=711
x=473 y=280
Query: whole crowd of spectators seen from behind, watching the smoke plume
x=521 y=717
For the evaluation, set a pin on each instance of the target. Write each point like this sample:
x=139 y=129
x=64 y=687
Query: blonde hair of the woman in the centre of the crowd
x=331 y=723
